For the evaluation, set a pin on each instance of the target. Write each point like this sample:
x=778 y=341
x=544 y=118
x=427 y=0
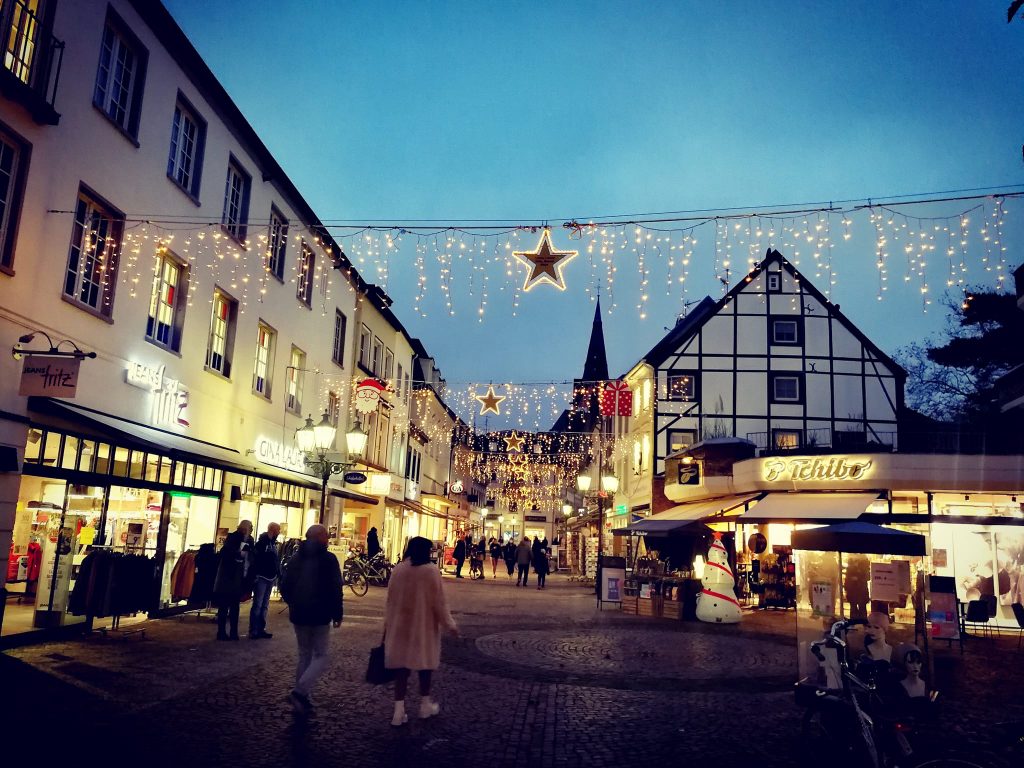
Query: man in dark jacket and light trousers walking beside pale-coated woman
x=312 y=588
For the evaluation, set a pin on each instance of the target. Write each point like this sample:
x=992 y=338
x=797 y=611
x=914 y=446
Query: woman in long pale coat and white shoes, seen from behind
x=414 y=616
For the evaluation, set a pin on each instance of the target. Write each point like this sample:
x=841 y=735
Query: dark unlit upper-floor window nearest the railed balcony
x=121 y=76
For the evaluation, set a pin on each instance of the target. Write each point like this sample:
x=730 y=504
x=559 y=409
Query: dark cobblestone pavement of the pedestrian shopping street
x=539 y=679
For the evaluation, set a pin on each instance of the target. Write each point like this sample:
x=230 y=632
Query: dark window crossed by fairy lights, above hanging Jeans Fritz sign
x=93 y=259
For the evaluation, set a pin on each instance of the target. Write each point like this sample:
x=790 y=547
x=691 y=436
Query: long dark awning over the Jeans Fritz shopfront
x=167 y=444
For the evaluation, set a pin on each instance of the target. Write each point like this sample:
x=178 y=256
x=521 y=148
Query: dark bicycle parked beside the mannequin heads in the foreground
x=838 y=715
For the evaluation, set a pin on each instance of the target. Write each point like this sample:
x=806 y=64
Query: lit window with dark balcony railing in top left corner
x=32 y=60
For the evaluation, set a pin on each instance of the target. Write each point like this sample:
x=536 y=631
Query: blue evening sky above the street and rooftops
x=550 y=111
